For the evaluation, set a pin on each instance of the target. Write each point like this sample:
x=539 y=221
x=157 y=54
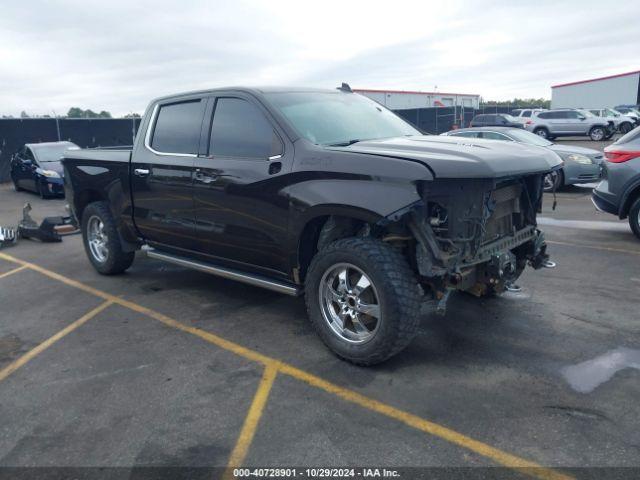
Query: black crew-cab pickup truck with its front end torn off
x=321 y=192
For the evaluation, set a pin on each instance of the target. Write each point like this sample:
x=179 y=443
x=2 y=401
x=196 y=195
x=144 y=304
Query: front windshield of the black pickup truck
x=339 y=118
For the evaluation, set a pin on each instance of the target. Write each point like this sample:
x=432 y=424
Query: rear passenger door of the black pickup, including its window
x=162 y=174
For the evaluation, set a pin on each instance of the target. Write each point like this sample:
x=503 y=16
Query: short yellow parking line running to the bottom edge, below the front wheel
x=239 y=453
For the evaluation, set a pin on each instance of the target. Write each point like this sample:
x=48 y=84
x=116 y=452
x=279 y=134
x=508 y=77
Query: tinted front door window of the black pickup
x=241 y=130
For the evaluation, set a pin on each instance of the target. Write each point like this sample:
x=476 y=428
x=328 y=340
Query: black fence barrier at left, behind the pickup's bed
x=84 y=132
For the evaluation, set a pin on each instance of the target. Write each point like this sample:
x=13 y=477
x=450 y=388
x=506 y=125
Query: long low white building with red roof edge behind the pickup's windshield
x=404 y=100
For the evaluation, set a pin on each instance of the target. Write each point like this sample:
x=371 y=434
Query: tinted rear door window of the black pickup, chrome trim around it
x=177 y=128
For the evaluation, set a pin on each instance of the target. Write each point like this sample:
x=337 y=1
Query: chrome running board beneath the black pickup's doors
x=255 y=280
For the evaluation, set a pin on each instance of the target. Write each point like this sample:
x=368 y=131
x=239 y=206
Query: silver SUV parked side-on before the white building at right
x=569 y=122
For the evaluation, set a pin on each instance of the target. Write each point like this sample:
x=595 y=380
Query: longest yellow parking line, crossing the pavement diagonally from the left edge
x=503 y=458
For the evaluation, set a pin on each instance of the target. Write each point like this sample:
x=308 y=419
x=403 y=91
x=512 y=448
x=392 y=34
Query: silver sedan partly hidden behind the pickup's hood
x=581 y=165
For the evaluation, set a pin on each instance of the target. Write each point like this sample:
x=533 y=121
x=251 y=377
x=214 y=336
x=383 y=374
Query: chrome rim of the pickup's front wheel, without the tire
x=349 y=303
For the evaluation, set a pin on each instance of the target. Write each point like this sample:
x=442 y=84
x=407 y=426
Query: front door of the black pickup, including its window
x=240 y=216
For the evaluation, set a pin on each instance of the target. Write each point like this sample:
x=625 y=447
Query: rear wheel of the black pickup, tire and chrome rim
x=102 y=242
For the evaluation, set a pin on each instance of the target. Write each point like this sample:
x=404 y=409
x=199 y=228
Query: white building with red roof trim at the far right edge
x=611 y=91
